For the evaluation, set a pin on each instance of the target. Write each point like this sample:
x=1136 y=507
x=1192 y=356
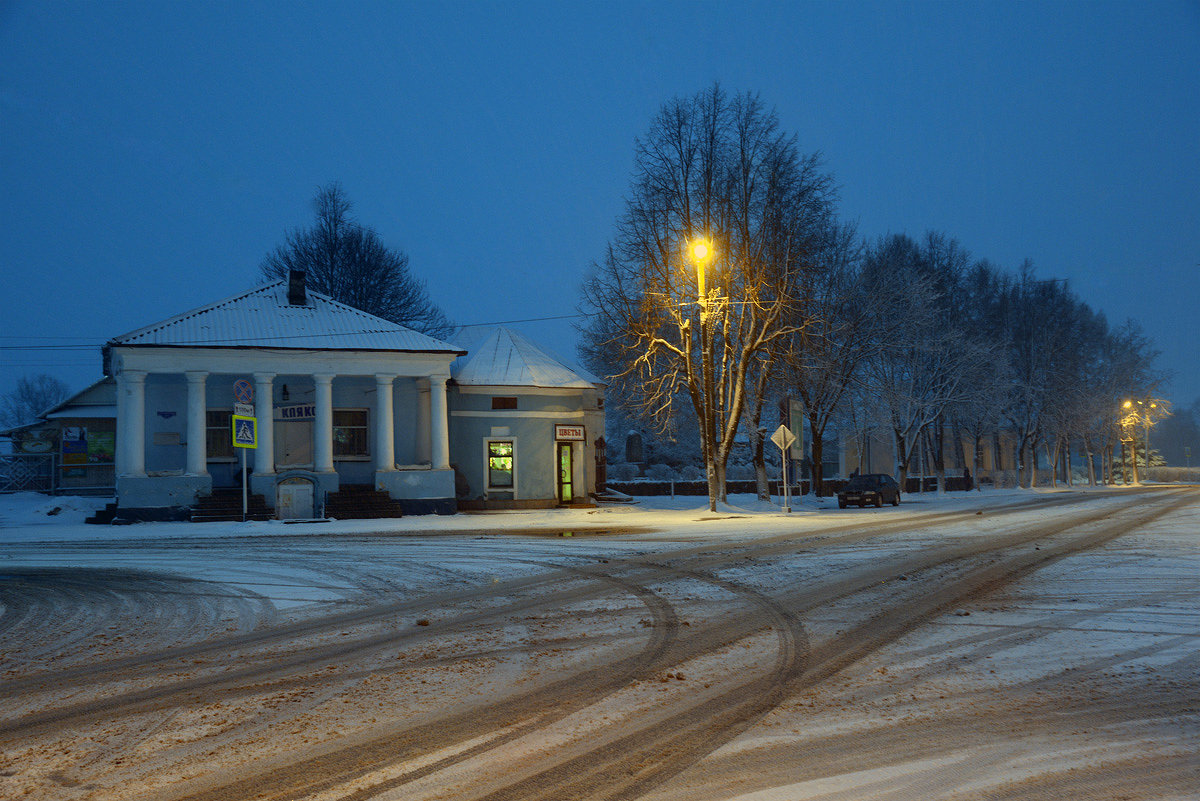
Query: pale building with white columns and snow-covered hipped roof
x=340 y=398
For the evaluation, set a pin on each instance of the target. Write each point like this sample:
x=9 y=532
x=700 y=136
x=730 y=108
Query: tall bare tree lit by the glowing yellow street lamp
x=667 y=333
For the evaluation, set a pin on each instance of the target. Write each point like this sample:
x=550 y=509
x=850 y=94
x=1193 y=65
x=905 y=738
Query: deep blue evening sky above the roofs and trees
x=153 y=153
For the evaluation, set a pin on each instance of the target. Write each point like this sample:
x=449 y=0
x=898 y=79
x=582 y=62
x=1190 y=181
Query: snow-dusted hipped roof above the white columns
x=262 y=318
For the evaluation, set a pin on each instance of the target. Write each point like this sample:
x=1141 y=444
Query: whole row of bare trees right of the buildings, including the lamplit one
x=913 y=338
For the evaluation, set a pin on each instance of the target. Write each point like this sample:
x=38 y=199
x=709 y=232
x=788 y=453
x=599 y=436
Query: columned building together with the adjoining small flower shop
x=333 y=399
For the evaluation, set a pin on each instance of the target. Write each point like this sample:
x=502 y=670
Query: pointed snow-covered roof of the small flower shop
x=505 y=358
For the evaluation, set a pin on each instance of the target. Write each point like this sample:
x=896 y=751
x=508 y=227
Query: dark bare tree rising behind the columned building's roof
x=350 y=263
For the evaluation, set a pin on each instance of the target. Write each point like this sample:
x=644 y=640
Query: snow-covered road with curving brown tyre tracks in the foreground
x=1027 y=647
